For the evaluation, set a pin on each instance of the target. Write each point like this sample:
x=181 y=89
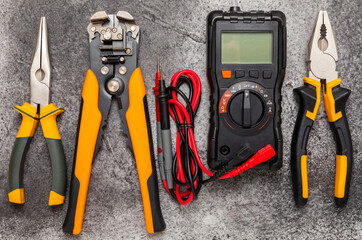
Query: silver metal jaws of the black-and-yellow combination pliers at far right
x=322 y=50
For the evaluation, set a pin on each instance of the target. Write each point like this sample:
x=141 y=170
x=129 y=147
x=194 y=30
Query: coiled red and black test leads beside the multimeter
x=187 y=168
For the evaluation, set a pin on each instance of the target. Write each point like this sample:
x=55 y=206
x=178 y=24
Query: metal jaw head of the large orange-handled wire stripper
x=114 y=40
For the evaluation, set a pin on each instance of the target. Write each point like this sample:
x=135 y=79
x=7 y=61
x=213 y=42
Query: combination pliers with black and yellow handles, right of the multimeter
x=322 y=58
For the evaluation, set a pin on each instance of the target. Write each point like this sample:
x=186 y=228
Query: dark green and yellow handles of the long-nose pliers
x=26 y=132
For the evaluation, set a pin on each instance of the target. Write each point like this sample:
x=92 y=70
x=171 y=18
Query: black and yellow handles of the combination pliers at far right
x=335 y=98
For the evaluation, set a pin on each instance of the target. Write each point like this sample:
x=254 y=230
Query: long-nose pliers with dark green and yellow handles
x=39 y=109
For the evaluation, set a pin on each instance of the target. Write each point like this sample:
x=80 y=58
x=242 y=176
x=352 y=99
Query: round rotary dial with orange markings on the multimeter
x=246 y=106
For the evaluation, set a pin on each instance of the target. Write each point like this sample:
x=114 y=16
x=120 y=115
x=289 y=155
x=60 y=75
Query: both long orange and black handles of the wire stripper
x=88 y=138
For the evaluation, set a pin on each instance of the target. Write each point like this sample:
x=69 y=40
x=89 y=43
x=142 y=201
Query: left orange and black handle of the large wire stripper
x=88 y=129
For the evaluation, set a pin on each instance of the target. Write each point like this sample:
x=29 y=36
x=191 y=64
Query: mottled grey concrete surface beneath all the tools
x=258 y=204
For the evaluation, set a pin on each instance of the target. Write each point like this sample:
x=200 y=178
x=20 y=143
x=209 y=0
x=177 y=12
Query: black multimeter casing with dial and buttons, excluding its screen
x=246 y=100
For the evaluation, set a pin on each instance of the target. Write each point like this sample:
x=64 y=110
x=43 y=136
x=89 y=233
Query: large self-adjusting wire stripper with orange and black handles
x=114 y=74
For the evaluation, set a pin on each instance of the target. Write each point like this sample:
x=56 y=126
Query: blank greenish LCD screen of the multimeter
x=247 y=47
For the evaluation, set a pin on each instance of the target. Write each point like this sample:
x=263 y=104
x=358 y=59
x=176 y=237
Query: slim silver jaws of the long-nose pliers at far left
x=40 y=69
